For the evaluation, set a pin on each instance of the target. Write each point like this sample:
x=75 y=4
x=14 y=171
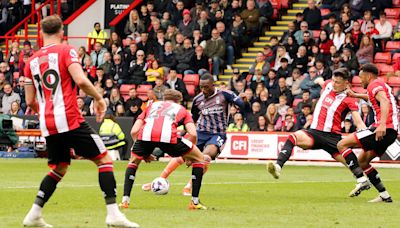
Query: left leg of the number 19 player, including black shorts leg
x=58 y=160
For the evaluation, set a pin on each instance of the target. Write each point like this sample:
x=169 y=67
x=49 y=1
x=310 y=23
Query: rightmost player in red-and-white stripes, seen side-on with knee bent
x=378 y=137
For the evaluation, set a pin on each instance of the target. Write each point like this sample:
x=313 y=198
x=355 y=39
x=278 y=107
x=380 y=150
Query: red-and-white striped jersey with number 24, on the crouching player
x=161 y=120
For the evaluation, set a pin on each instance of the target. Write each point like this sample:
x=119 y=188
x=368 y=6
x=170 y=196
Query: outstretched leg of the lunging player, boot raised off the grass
x=299 y=138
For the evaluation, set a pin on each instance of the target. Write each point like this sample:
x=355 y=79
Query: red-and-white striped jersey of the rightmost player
x=373 y=88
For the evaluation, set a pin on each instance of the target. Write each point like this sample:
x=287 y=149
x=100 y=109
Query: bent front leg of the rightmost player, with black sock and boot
x=344 y=147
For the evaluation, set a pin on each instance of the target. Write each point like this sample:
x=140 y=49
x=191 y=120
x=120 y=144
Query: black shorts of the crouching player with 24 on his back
x=142 y=149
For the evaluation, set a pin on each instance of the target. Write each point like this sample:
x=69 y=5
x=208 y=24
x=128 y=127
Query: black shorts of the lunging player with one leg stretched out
x=324 y=140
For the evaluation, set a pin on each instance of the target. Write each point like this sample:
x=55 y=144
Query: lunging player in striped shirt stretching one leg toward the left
x=331 y=109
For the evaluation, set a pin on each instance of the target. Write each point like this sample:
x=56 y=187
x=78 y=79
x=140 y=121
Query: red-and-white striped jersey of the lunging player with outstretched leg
x=331 y=110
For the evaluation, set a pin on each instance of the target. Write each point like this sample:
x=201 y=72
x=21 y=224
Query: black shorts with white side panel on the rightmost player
x=366 y=140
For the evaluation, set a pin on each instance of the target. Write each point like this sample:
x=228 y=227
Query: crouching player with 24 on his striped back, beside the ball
x=157 y=127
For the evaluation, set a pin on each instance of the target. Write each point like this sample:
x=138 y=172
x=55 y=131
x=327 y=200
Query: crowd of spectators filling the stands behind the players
x=163 y=41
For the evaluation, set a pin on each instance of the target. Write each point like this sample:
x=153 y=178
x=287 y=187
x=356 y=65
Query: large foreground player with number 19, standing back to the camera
x=53 y=75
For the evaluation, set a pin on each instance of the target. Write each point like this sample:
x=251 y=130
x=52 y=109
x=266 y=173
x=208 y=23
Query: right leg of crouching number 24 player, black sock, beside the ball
x=197 y=160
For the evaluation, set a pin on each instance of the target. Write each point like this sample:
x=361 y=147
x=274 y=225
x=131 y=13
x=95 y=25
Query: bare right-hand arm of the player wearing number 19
x=100 y=107
